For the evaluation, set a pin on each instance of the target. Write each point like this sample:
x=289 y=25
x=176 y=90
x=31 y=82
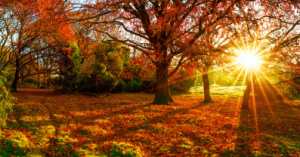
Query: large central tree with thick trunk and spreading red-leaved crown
x=163 y=30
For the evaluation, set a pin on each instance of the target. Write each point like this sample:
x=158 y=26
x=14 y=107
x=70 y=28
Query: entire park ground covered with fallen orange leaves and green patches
x=48 y=123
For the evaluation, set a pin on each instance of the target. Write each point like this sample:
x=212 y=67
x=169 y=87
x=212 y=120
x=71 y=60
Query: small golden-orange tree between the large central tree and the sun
x=209 y=53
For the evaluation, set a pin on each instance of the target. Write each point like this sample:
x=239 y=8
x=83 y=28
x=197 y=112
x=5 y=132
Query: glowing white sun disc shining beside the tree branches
x=248 y=60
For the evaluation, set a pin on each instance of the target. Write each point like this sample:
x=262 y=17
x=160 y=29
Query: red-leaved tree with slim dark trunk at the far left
x=29 y=22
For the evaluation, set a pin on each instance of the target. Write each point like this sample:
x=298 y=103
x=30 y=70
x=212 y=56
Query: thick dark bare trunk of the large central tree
x=162 y=95
